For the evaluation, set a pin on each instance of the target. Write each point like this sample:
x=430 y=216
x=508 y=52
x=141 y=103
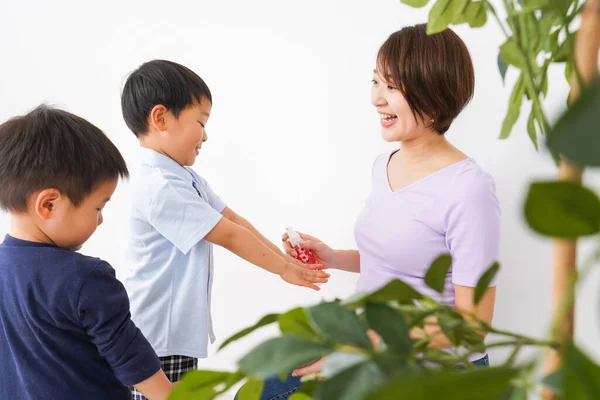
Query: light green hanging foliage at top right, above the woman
x=538 y=33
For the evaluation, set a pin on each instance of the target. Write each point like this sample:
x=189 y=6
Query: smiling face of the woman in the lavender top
x=398 y=124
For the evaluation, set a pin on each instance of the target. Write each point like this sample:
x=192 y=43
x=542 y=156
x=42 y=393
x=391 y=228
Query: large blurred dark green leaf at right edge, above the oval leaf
x=575 y=135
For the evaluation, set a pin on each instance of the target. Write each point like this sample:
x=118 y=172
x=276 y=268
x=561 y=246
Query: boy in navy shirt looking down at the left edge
x=66 y=328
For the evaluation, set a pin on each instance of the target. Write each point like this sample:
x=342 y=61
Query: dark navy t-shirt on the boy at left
x=66 y=331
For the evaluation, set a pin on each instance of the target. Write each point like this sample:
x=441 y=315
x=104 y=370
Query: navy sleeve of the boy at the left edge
x=103 y=309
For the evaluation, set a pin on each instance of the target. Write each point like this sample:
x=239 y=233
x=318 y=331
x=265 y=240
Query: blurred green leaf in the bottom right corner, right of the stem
x=581 y=375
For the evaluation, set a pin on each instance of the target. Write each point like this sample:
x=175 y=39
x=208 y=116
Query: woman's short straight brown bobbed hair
x=433 y=72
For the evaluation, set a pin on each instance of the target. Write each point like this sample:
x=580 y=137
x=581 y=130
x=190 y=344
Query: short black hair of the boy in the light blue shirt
x=160 y=82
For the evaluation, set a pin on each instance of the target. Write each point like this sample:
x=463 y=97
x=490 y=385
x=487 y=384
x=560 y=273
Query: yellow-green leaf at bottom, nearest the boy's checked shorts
x=201 y=384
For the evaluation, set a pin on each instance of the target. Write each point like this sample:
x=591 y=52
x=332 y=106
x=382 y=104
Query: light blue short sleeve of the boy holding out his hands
x=179 y=214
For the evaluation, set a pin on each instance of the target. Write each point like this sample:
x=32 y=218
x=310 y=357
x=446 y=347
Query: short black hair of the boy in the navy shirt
x=52 y=148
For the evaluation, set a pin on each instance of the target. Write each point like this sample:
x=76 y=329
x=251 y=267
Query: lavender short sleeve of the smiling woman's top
x=473 y=229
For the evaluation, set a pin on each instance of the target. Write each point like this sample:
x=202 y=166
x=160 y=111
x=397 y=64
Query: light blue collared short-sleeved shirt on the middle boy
x=170 y=264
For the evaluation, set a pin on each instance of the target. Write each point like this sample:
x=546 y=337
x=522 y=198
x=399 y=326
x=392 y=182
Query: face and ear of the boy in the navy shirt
x=68 y=226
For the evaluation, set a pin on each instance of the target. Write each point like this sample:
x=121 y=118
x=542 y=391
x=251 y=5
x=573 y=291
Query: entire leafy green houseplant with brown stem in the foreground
x=538 y=34
